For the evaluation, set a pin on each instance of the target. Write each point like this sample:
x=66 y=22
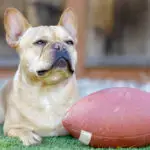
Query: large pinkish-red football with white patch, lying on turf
x=115 y=117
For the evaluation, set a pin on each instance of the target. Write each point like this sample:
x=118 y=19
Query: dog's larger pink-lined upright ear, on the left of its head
x=15 y=25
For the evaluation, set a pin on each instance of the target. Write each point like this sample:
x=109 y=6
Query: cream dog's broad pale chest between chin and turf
x=44 y=109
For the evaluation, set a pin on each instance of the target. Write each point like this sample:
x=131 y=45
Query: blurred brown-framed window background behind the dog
x=113 y=36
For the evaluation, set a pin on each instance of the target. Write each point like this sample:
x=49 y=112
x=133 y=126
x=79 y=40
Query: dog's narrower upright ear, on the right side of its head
x=69 y=22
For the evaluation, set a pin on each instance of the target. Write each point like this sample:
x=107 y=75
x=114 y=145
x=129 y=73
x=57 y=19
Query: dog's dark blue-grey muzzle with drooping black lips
x=61 y=60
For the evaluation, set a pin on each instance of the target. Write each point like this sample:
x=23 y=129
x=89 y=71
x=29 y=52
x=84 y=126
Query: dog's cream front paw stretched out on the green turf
x=27 y=137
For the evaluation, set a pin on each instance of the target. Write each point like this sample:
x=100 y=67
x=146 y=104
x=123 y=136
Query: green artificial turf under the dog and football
x=50 y=143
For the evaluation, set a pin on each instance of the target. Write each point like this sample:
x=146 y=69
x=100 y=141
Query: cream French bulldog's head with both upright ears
x=47 y=53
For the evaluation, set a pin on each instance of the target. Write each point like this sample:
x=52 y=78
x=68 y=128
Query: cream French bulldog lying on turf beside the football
x=44 y=87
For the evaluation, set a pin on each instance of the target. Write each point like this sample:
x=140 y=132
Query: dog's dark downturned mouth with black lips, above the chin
x=60 y=63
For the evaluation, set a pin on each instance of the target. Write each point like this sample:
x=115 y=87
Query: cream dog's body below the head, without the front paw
x=36 y=108
